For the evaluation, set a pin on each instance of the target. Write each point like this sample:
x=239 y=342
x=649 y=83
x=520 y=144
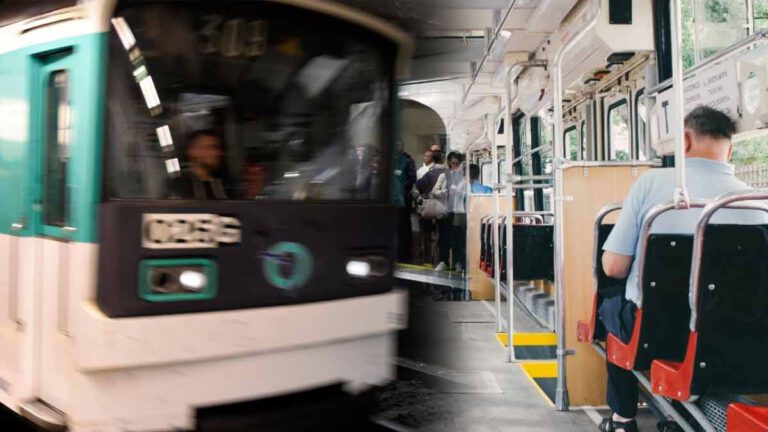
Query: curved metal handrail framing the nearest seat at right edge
x=699 y=236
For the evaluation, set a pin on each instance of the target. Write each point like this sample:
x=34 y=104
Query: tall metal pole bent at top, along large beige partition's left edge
x=561 y=396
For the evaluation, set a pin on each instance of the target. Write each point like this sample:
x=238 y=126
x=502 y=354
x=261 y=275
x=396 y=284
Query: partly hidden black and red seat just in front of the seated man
x=593 y=330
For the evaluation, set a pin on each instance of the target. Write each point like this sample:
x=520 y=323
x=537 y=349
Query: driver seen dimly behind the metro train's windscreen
x=202 y=178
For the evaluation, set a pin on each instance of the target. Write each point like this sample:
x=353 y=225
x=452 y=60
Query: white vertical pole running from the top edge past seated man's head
x=681 y=199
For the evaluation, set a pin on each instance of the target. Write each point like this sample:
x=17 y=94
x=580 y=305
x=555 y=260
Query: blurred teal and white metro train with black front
x=172 y=175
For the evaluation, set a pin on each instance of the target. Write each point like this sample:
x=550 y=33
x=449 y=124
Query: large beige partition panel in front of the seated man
x=586 y=191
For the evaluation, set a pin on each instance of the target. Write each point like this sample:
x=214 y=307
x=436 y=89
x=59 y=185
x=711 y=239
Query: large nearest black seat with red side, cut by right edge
x=726 y=351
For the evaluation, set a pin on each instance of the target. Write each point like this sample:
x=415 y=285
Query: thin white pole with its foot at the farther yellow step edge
x=510 y=216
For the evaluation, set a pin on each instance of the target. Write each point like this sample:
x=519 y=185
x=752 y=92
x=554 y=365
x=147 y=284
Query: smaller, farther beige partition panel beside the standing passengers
x=480 y=284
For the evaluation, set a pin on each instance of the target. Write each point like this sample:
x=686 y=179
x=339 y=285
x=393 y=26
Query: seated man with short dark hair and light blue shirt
x=708 y=149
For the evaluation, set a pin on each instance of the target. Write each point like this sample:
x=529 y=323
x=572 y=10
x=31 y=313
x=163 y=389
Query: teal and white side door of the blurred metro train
x=56 y=150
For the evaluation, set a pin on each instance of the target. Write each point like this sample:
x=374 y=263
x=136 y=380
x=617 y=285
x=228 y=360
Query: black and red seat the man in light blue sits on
x=661 y=325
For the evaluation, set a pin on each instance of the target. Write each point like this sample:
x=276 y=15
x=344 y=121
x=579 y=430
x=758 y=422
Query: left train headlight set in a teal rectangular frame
x=163 y=280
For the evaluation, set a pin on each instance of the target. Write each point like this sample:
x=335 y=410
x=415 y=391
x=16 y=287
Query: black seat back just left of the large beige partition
x=533 y=252
